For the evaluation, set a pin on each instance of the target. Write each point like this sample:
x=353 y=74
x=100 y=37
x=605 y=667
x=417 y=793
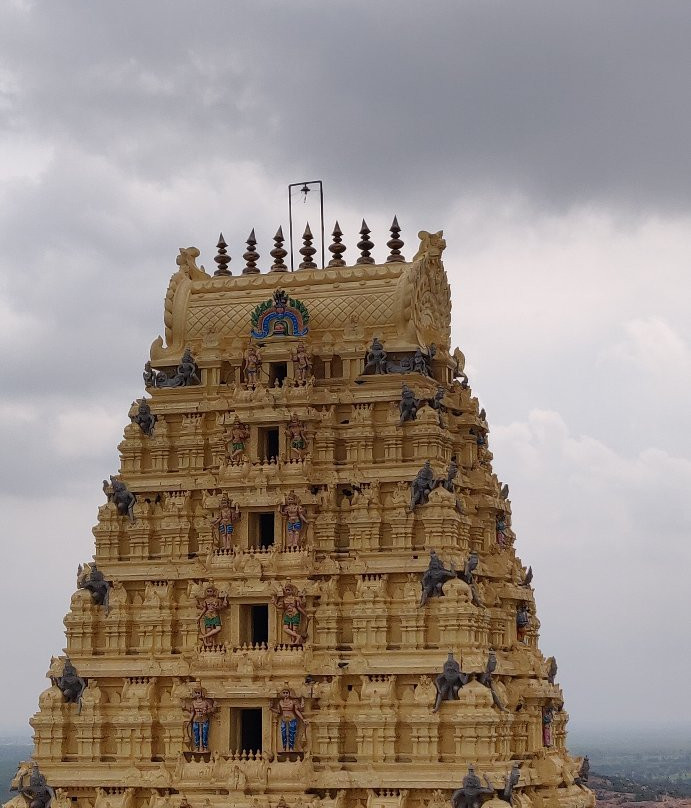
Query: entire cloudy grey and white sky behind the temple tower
x=549 y=140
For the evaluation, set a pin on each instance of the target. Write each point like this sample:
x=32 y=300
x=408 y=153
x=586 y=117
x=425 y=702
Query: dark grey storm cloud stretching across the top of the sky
x=567 y=103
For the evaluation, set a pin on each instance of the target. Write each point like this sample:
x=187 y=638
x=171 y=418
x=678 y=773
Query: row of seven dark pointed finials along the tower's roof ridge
x=307 y=251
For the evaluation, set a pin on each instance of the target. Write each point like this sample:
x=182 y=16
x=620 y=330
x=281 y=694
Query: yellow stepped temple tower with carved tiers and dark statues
x=305 y=591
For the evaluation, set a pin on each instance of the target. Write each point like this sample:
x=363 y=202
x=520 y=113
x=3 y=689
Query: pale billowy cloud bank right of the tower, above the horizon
x=607 y=535
